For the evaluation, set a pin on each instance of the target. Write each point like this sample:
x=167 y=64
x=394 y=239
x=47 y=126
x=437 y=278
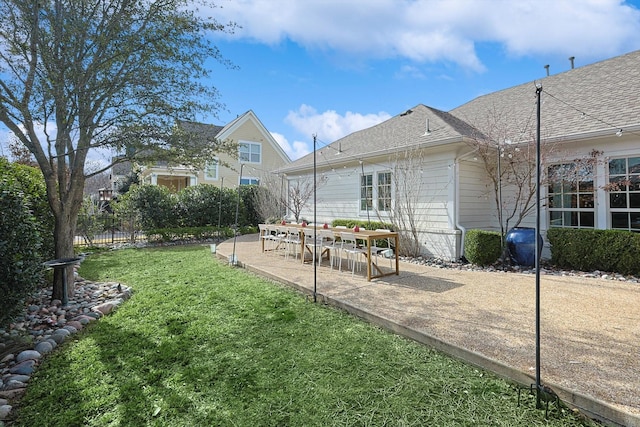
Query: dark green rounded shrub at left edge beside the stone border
x=20 y=244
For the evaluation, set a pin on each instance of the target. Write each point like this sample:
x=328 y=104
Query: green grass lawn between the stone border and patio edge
x=204 y=344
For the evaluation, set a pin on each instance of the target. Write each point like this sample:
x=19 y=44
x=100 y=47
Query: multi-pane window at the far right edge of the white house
x=624 y=193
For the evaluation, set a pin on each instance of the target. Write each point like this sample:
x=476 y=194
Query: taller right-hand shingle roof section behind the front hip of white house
x=606 y=92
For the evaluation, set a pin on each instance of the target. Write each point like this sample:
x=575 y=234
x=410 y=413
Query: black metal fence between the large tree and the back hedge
x=104 y=229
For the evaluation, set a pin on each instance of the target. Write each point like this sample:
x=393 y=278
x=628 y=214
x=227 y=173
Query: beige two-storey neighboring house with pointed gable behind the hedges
x=258 y=151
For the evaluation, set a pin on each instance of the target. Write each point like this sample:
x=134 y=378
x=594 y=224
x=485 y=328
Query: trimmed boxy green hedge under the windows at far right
x=587 y=250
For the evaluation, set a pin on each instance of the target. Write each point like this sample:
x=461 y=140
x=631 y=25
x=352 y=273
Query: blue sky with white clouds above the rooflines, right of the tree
x=330 y=67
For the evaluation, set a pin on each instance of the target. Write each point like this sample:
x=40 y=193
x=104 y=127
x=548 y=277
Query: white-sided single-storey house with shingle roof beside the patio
x=427 y=160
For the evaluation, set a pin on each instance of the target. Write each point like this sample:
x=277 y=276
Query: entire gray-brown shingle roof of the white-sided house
x=599 y=97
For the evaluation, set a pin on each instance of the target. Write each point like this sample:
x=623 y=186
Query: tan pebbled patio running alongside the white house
x=589 y=327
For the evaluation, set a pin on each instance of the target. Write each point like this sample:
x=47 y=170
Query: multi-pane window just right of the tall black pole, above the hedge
x=571 y=198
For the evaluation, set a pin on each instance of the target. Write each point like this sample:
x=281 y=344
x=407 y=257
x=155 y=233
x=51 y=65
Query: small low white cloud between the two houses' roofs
x=329 y=125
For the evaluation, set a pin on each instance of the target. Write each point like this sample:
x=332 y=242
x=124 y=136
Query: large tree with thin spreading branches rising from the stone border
x=117 y=74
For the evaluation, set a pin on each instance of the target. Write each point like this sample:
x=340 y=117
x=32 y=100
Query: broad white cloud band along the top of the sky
x=437 y=30
